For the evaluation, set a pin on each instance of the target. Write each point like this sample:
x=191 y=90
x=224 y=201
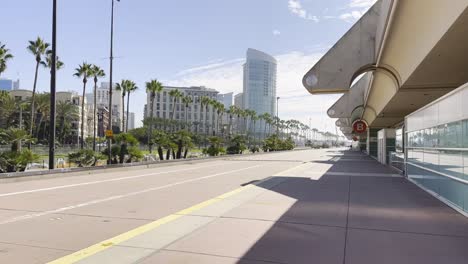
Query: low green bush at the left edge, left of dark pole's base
x=16 y=161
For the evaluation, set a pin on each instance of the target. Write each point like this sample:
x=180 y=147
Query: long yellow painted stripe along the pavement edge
x=106 y=244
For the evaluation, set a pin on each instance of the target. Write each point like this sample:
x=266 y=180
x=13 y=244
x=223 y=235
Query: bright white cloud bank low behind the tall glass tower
x=295 y=101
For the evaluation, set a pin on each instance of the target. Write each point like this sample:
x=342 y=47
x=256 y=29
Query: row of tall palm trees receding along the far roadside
x=246 y=120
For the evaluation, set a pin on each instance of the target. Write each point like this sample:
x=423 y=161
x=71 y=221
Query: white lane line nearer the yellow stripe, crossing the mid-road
x=111 y=198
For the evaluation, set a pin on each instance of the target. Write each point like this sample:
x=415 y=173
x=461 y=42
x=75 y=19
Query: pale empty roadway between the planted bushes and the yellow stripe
x=46 y=219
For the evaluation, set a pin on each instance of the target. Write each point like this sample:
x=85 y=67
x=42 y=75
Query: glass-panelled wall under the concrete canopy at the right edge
x=437 y=148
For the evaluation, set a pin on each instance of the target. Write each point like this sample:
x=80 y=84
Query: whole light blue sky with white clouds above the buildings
x=185 y=42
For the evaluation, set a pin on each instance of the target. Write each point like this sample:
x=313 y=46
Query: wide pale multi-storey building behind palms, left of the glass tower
x=201 y=119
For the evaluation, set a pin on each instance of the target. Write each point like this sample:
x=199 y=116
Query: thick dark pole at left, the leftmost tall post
x=53 y=72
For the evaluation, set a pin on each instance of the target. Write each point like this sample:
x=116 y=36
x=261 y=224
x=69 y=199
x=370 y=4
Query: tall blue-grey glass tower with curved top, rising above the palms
x=260 y=83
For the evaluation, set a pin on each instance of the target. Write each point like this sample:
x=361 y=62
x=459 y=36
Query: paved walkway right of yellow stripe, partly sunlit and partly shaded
x=344 y=209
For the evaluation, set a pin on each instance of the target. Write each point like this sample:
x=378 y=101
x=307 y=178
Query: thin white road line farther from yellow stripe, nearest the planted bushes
x=101 y=181
